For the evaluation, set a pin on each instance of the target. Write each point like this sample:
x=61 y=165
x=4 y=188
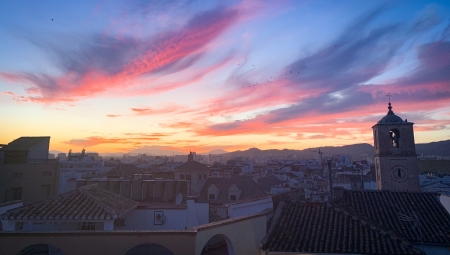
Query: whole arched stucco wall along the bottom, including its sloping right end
x=245 y=234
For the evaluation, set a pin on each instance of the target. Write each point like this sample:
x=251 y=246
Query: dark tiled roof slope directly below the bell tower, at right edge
x=401 y=211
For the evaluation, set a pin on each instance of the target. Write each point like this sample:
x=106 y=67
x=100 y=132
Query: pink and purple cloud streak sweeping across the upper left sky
x=103 y=62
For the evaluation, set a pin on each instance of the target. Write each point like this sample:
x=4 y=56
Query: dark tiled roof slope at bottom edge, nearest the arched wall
x=323 y=228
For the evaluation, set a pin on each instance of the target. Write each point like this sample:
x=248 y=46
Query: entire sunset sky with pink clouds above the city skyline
x=121 y=76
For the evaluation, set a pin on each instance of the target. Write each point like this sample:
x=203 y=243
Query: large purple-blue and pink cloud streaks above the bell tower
x=329 y=85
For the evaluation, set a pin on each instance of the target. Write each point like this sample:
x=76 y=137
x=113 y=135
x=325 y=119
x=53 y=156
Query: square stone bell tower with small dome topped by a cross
x=395 y=153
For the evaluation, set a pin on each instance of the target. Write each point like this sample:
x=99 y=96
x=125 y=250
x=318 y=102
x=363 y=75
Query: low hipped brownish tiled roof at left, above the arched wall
x=85 y=203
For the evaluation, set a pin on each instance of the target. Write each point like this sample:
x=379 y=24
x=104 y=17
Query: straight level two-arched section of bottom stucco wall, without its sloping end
x=101 y=242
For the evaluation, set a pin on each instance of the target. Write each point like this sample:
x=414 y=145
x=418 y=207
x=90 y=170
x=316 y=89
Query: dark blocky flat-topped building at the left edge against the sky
x=26 y=173
